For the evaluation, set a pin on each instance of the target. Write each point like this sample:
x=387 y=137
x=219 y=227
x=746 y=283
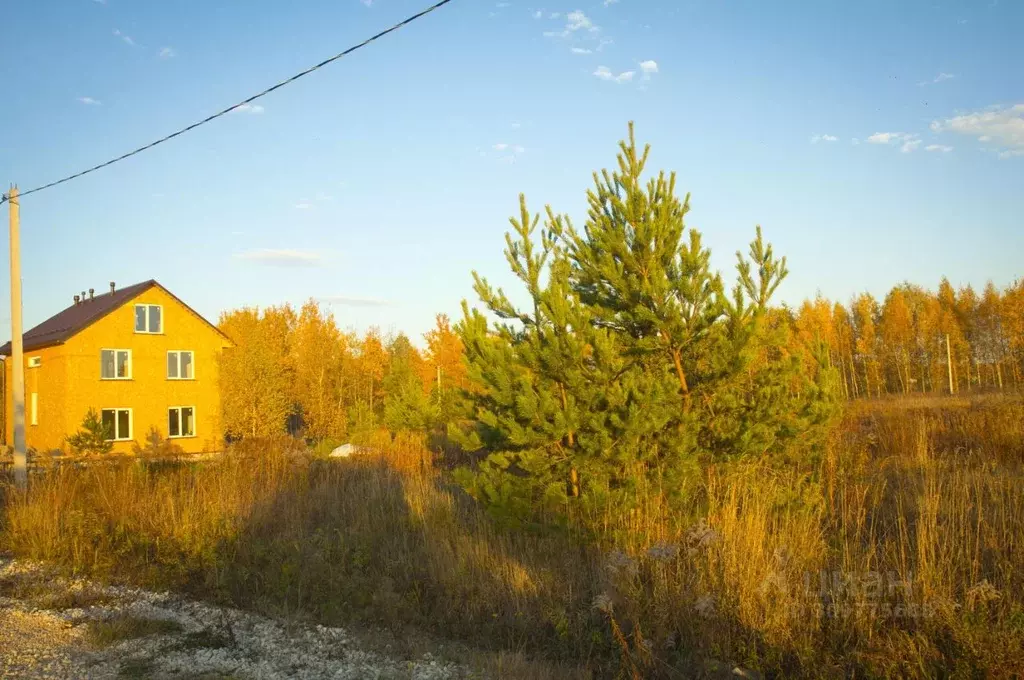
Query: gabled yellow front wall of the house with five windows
x=149 y=394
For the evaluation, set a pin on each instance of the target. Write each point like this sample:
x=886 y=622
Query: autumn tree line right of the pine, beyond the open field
x=916 y=341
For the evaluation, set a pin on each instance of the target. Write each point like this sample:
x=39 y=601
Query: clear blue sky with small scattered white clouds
x=874 y=142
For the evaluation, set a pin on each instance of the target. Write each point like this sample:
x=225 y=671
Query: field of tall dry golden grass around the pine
x=897 y=552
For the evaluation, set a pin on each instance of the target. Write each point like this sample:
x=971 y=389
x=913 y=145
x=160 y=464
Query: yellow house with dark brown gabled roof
x=139 y=356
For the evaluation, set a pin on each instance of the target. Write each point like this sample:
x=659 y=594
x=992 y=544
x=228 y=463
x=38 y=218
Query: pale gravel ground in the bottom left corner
x=215 y=642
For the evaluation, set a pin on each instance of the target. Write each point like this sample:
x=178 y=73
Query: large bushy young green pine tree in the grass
x=627 y=362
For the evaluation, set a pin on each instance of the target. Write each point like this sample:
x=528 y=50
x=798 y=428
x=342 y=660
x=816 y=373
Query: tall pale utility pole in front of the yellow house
x=18 y=362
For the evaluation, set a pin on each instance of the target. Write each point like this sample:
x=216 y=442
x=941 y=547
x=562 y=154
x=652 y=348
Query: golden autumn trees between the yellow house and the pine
x=297 y=372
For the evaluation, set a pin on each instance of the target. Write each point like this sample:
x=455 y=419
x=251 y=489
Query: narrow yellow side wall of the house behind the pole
x=48 y=381
